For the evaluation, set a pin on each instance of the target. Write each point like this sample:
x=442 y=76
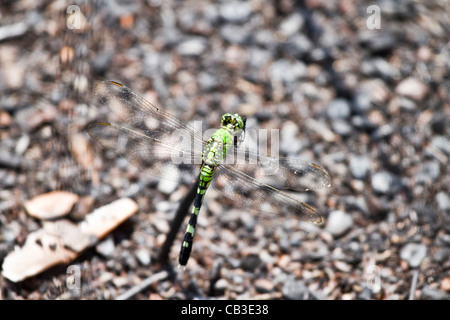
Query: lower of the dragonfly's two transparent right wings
x=254 y=194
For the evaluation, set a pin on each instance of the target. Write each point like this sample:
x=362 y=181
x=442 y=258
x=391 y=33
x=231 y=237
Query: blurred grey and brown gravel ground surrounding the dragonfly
x=371 y=106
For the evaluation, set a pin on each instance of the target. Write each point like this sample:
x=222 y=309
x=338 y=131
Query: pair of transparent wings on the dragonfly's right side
x=262 y=184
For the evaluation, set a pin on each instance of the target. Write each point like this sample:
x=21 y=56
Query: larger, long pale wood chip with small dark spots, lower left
x=62 y=241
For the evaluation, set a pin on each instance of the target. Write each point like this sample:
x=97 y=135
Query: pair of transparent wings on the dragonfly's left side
x=150 y=138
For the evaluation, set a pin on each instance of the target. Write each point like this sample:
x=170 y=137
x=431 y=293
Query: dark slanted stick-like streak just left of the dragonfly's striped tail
x=182 y=212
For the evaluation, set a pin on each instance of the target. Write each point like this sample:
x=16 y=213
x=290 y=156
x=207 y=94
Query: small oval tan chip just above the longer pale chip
x=51 y=205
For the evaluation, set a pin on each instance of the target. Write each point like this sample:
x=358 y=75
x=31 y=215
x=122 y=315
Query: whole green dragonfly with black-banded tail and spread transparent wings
x=162 y=145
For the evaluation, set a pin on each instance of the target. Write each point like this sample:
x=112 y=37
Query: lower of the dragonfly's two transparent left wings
x=162 y=158
